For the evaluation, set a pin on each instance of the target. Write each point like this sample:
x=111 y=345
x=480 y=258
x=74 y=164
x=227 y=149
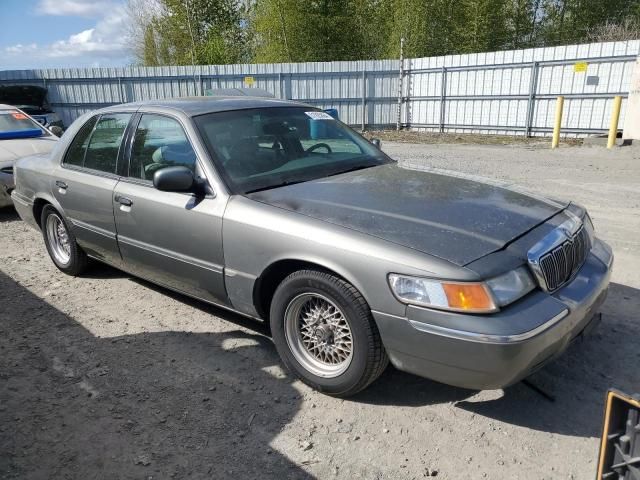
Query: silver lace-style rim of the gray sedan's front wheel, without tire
x=318 y=334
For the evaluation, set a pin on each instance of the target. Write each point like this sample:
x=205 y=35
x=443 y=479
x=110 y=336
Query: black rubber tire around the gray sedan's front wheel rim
x=369 y=358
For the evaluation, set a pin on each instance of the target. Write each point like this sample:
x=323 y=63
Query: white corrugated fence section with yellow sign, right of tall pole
x=515 y=91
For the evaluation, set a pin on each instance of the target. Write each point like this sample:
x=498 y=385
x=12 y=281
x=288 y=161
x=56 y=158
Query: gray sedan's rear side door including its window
x=84 y=183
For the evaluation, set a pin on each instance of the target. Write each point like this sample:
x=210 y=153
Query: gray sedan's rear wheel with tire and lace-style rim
x=61 y=243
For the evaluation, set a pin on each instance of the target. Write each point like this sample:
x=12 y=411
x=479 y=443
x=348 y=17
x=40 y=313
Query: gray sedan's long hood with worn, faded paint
x=455 y=217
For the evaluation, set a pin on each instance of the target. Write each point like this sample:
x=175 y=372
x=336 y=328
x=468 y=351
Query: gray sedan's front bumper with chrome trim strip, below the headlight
x=487 y=352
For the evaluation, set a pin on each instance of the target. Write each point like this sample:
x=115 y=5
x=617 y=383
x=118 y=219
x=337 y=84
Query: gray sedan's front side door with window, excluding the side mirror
x=173 y=239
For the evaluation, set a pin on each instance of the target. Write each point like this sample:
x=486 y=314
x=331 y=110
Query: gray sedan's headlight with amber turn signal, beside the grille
x=472 y=297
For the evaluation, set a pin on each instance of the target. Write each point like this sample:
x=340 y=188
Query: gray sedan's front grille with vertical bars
x=559 y=265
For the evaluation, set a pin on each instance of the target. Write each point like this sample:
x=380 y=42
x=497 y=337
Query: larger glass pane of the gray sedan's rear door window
x=102 y=152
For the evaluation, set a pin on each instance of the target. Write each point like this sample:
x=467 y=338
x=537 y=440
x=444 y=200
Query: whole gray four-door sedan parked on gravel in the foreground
x=277 y=211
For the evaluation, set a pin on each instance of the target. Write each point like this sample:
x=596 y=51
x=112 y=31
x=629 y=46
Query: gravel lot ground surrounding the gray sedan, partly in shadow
x=106 y=376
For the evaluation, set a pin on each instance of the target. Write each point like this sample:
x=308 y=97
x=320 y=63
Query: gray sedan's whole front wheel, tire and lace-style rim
x=324 y=332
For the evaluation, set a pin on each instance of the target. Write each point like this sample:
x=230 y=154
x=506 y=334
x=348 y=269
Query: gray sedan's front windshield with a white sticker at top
x=266 y=148
